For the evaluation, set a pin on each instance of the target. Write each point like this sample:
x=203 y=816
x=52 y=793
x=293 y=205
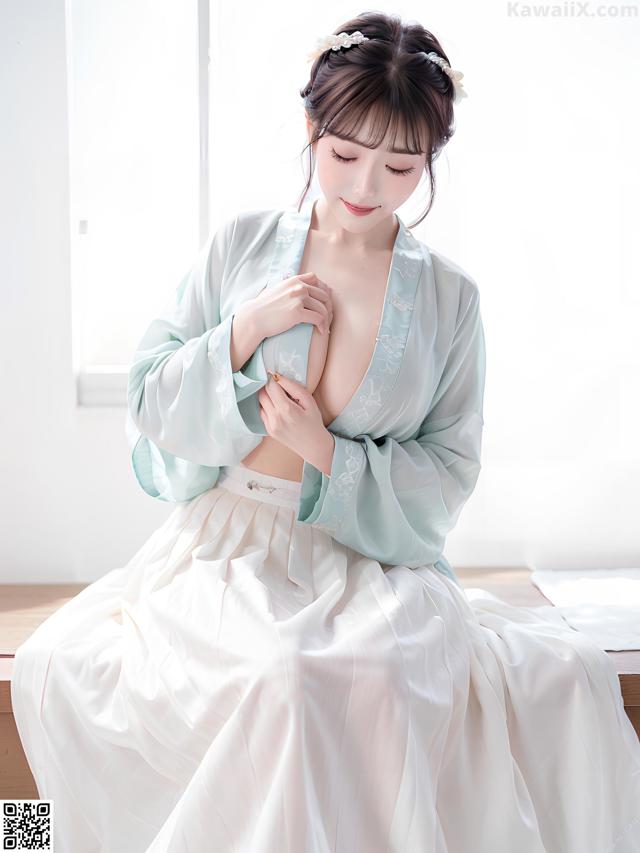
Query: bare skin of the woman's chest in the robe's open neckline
x=339 y=361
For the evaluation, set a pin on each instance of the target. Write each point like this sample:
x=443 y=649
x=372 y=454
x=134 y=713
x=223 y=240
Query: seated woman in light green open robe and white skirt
x=289 y=662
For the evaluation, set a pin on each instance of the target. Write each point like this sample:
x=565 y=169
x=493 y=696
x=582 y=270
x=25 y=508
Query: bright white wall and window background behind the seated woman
x=537 y=199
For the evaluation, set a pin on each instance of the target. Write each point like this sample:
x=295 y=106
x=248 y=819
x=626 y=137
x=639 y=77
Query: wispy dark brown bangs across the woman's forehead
x=408 y=128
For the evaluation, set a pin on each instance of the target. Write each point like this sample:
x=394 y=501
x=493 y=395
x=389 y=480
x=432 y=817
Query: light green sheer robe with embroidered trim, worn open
x=407 y=444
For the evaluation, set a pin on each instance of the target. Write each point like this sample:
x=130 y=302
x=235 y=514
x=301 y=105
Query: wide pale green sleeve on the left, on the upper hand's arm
x=188 y=413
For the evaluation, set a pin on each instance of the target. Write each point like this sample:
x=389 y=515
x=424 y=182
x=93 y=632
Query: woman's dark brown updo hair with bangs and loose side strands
x=389 y=79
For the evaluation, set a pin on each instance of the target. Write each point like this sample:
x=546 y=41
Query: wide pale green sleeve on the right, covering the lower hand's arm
x=396 y=501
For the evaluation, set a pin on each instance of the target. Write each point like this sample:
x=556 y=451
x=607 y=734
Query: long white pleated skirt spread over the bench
x=246 y=684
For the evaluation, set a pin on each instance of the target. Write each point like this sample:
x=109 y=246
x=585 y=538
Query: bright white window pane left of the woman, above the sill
x=135 y=78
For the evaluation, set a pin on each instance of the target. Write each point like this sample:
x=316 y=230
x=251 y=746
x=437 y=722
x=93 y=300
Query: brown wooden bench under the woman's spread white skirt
x=25 y=606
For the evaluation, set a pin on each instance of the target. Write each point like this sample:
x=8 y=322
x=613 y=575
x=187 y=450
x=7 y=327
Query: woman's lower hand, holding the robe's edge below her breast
x=296 y=423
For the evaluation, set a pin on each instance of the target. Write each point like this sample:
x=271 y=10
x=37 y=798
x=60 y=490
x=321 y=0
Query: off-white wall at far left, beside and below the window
x=70 y=508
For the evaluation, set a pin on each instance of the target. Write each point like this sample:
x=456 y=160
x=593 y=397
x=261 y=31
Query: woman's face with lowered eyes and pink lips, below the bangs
x=378 y=178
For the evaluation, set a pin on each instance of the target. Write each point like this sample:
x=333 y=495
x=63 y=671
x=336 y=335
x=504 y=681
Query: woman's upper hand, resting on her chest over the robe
x=299 y=299
